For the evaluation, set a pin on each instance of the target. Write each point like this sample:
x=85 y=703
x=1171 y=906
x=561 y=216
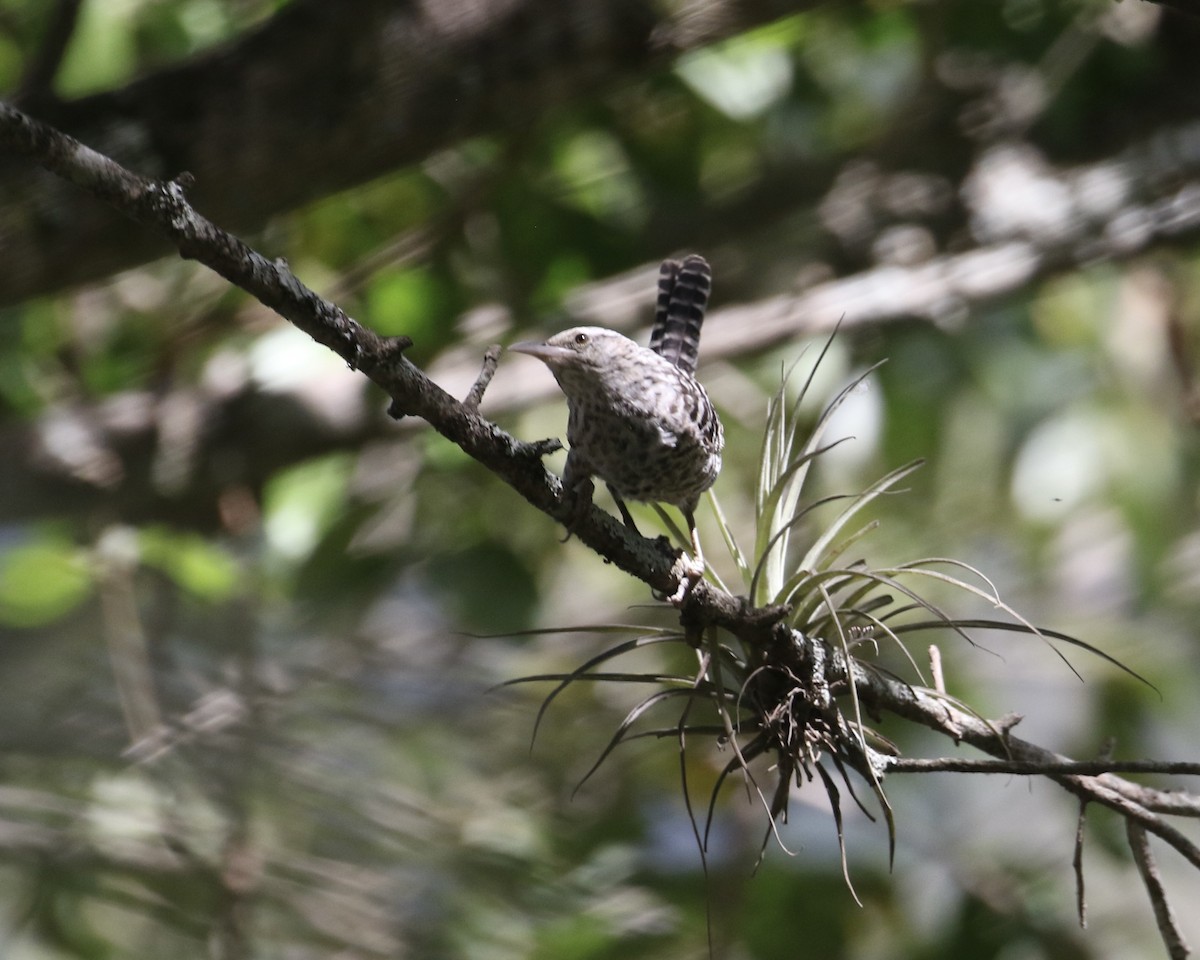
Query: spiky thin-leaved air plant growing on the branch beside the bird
x=789 y=695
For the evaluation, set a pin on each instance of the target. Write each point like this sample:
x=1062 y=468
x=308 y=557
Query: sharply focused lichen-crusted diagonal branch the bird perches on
x=165 y=208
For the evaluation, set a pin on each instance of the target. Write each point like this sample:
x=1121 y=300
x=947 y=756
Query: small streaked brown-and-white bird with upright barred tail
x=638 y=417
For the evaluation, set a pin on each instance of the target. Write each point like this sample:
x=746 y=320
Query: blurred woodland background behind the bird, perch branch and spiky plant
x=250 y=628
